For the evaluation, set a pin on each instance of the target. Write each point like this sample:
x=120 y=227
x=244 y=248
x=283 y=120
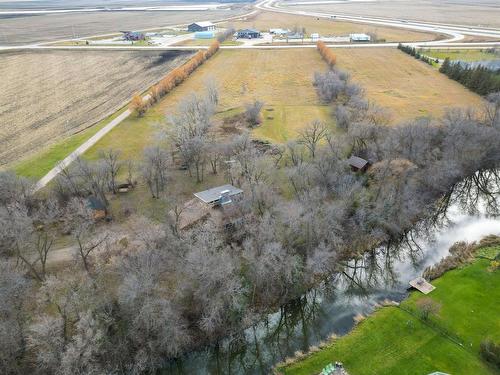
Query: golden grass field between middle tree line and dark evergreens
x=407 y=87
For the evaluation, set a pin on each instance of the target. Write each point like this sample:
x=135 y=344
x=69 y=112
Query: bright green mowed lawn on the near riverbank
x=399 y=340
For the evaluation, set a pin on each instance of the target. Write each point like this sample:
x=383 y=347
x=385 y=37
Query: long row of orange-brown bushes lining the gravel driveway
x=172 y=79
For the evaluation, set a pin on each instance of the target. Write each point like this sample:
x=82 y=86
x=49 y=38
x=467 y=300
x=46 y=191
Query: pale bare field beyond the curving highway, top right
x=477 y=12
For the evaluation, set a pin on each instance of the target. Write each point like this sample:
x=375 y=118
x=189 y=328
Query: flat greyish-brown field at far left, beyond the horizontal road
x=50 y=27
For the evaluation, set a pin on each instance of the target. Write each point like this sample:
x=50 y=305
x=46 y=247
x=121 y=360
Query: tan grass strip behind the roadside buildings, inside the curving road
x=267 y=20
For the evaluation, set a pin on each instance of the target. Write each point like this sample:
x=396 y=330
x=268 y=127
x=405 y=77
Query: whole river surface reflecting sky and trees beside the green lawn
x=467 y=213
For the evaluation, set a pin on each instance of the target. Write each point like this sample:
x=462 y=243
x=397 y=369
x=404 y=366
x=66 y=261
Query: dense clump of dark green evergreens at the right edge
x=479 y=79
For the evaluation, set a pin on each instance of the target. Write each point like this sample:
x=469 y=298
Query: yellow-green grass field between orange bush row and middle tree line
x=282 y=79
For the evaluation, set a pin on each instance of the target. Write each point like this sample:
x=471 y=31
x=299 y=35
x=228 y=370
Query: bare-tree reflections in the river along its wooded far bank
x=279 y=335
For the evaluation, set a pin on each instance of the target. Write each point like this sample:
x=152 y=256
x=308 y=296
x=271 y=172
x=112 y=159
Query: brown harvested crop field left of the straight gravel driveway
x=47 y=96
